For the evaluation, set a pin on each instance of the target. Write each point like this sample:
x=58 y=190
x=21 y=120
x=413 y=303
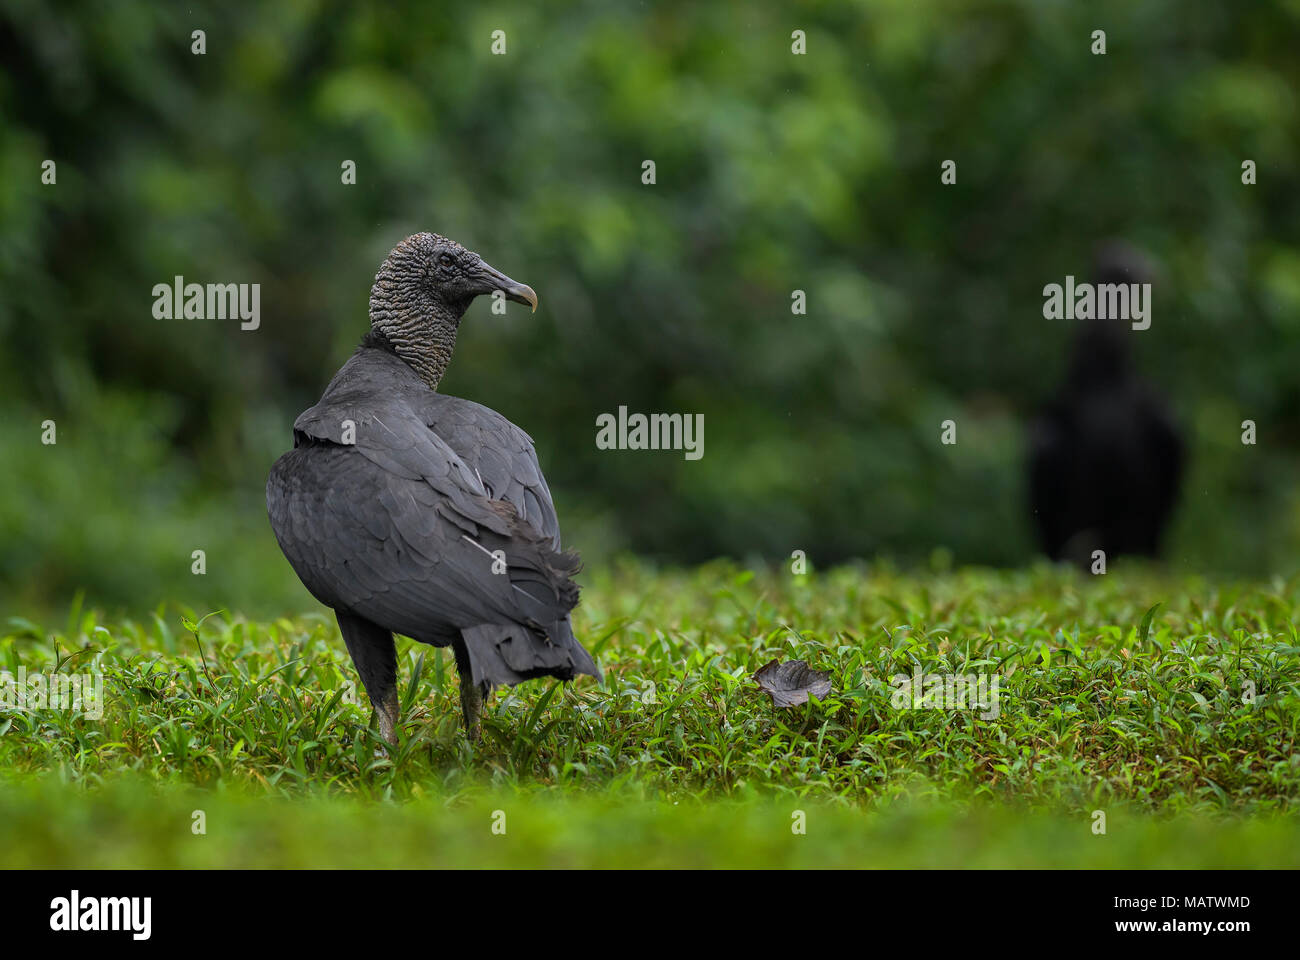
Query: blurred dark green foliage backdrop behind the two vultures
x=774 y=172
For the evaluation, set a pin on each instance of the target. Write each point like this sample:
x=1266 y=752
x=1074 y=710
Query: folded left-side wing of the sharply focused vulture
x=401 y=553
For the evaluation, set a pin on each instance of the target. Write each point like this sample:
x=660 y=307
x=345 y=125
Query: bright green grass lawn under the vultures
x=677 y=759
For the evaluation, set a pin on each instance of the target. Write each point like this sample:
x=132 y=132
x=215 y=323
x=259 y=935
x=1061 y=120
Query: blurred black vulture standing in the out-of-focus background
x=1106 y=455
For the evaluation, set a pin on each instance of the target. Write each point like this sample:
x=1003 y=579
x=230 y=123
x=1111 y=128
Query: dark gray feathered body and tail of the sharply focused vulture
x=395 y=509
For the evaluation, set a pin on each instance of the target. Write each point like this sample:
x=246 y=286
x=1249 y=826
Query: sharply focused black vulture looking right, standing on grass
x=414 y=513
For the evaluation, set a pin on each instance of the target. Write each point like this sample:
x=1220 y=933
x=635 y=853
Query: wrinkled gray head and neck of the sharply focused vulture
x=423 y=291
